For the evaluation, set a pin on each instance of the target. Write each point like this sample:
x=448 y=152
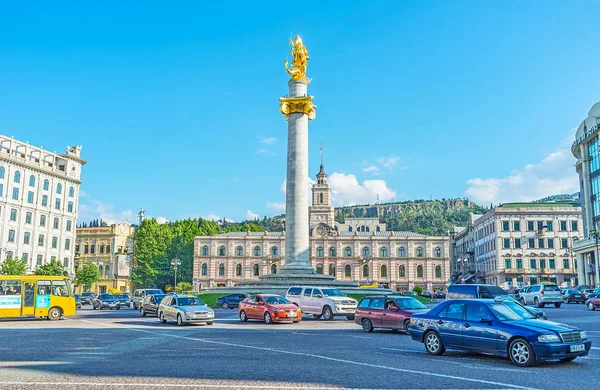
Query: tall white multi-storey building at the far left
x=39 y=197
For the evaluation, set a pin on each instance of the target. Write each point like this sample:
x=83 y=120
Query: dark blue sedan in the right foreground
x=498 y=327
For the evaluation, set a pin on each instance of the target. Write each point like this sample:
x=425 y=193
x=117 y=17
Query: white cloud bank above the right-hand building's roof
x=555 y=174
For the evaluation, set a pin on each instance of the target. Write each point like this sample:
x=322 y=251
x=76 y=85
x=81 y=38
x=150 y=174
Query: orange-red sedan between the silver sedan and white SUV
x=269 y=308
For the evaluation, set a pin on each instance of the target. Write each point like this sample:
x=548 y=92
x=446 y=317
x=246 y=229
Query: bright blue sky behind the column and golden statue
x=177 y=110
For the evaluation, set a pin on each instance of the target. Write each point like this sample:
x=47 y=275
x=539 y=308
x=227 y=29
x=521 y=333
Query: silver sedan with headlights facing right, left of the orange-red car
x=184 y=309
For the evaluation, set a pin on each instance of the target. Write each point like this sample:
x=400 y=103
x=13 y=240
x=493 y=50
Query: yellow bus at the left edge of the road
x=36 y=296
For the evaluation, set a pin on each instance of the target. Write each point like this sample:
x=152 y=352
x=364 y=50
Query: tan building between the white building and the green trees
x=109 y=248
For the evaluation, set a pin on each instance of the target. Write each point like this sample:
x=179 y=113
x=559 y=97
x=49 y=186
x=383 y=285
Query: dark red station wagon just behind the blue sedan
x=387 y=311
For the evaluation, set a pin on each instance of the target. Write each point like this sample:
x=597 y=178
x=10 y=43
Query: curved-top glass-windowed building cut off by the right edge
x=586 y=150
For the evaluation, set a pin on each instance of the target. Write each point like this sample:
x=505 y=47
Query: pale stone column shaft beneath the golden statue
x=296 y=209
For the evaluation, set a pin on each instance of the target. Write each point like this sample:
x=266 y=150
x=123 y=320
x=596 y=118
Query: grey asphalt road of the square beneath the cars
x=120 y=349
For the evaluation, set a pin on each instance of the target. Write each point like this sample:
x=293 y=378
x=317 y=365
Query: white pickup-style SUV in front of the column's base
x=322 y=302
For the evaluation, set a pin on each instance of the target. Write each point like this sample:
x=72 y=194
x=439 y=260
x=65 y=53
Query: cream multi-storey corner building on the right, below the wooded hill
x=527 y=243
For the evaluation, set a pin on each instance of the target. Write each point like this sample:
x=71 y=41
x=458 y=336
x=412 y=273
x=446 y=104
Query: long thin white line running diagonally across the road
x=322 y=357
